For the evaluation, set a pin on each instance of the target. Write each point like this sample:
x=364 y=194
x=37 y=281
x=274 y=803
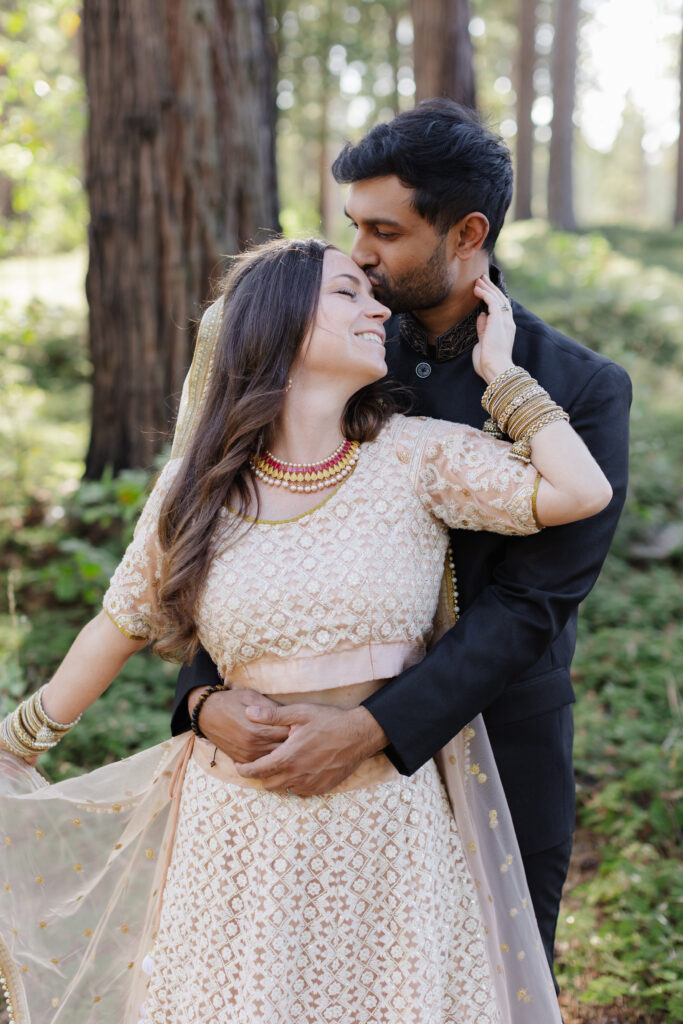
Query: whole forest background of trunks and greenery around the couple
x=165 y=164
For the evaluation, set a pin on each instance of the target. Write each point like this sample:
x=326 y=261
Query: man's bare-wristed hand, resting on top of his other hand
x=326 y=745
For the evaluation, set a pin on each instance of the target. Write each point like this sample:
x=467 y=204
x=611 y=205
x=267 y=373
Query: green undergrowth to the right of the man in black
x=621 y=932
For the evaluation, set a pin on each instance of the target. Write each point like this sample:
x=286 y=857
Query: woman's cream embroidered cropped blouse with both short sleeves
x=347 y=592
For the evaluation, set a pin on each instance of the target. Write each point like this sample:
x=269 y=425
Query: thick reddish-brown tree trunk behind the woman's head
x=181 y=170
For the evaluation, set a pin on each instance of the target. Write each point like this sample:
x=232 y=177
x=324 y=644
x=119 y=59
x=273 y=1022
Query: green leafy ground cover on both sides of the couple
x=618 y=291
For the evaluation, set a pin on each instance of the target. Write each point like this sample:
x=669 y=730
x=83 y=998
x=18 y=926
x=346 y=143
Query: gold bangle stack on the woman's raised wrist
x=520 y=407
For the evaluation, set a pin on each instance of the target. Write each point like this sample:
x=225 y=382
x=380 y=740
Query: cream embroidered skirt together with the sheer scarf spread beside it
x=160 y=890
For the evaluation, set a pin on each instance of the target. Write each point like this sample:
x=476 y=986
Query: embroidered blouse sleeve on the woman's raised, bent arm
x=467 y=479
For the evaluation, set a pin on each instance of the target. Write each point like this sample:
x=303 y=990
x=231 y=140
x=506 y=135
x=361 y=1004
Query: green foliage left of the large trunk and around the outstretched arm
x=61 y=540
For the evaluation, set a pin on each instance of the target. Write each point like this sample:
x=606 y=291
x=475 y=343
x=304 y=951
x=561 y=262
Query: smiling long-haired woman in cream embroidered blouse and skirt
x=302 y=538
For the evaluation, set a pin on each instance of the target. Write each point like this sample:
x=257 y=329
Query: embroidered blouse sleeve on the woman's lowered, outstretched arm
x=132 y=600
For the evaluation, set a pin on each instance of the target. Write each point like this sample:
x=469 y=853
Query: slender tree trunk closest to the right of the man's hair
x=525 y=84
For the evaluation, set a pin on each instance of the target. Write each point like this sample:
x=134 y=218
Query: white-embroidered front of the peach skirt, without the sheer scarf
x=351 y=907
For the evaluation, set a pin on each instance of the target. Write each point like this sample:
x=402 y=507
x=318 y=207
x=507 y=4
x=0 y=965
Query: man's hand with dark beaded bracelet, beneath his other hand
x=224 y=722
